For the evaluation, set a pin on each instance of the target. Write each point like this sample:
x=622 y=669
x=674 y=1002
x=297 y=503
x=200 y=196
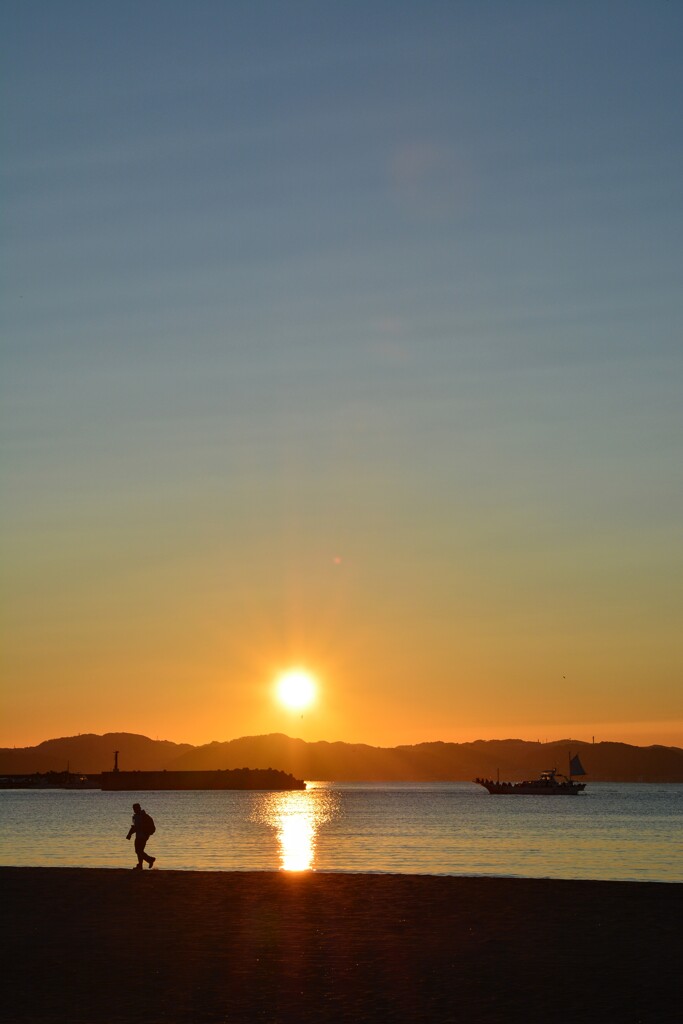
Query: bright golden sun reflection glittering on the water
x=297 y=819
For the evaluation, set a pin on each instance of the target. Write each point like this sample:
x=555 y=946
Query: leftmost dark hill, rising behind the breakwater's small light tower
x=90 y=753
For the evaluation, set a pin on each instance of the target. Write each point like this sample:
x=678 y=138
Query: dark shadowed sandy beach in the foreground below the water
x=90 y=947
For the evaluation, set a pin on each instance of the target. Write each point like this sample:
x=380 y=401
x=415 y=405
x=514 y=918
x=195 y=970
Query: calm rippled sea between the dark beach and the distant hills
x=612 y=832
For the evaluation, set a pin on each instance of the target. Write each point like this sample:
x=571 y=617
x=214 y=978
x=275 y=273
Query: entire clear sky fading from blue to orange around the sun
x=343 y=336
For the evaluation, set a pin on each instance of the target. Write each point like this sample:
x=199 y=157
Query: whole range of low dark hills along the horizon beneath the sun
x=516 y=759
